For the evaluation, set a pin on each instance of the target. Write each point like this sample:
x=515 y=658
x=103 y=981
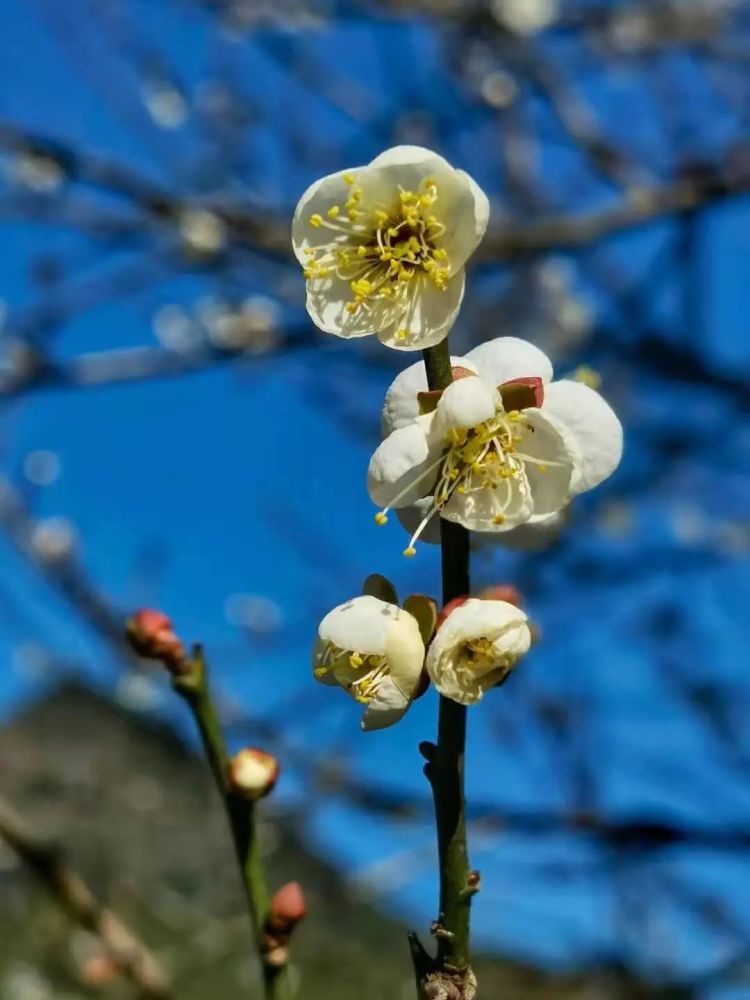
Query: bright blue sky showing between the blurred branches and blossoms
x=250 y=480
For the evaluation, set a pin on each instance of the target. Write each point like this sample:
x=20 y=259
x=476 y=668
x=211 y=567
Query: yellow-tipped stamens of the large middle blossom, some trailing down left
x=482 y=459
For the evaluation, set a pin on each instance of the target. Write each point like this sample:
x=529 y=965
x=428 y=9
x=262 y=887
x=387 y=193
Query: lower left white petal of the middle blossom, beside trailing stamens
x=404 y=458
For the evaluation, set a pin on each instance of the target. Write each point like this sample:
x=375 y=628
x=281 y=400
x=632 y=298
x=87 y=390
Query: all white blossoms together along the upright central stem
x=503 y=449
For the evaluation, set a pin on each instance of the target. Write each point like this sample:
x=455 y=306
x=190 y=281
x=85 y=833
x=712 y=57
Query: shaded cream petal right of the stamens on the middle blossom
x=543 y=441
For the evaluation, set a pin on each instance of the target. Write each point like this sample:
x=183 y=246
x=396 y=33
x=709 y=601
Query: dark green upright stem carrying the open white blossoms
x=446 y=768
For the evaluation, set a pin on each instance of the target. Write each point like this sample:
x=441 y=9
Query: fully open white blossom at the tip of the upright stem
x=383 y=247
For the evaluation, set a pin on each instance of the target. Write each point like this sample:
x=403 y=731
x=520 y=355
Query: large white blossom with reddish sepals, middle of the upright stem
x=503 y=446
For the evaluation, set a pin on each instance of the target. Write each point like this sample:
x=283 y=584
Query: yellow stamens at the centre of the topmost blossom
x=382 y=250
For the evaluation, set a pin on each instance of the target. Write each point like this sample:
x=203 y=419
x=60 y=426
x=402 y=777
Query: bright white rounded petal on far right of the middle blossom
x=593 y=426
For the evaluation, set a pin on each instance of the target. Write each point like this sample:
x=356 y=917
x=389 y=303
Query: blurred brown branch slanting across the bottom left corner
x=130 y=956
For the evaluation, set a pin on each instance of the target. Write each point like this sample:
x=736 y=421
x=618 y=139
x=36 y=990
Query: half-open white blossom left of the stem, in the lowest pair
x=374 y=651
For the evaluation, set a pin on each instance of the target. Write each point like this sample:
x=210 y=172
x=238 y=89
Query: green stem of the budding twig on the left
x=194 y=688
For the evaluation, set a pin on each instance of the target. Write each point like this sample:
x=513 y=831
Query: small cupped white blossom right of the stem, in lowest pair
x=475 y=648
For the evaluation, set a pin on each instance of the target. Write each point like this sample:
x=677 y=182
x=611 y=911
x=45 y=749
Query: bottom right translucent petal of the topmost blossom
x=430 y=318
